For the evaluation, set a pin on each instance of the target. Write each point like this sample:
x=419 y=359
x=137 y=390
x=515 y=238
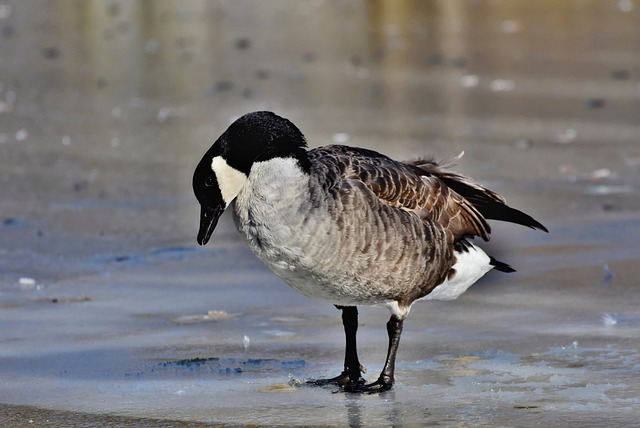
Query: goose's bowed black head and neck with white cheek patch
x=220 y=175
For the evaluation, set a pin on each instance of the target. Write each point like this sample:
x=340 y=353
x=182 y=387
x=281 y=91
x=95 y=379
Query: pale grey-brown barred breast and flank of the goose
x=330 y=236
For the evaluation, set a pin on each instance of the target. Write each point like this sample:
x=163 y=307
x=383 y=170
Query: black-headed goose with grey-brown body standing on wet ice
x=349 y=225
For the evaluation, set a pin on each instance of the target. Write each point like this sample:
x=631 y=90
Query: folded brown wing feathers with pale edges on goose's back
x=407 y=186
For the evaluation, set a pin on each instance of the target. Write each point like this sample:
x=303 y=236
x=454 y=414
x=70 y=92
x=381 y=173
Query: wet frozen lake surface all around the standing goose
x=110 y=313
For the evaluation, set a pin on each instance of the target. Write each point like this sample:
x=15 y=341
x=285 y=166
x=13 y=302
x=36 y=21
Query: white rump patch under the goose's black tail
x=469 y=268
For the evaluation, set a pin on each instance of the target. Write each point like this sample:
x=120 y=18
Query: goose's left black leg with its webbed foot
x=352 y=373
